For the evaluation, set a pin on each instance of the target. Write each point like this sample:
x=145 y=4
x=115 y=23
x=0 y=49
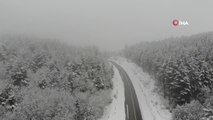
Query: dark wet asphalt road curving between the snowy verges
x=132 y=108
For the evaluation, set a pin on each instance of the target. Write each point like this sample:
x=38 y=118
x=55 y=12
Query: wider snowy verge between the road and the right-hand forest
x=151 y=103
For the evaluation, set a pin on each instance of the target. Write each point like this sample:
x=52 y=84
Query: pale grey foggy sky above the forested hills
x=109 y=24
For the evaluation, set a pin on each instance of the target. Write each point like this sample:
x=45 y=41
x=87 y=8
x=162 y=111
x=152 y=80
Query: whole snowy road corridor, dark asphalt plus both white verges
x=149 y=101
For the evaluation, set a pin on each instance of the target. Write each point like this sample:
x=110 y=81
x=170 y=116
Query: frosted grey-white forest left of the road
x=48 y=80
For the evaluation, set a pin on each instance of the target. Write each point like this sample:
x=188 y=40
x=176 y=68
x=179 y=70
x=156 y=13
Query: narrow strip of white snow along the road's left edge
x=116 y=110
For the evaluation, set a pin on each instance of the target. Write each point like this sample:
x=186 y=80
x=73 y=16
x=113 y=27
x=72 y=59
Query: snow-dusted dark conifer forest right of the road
x=183 y=69
